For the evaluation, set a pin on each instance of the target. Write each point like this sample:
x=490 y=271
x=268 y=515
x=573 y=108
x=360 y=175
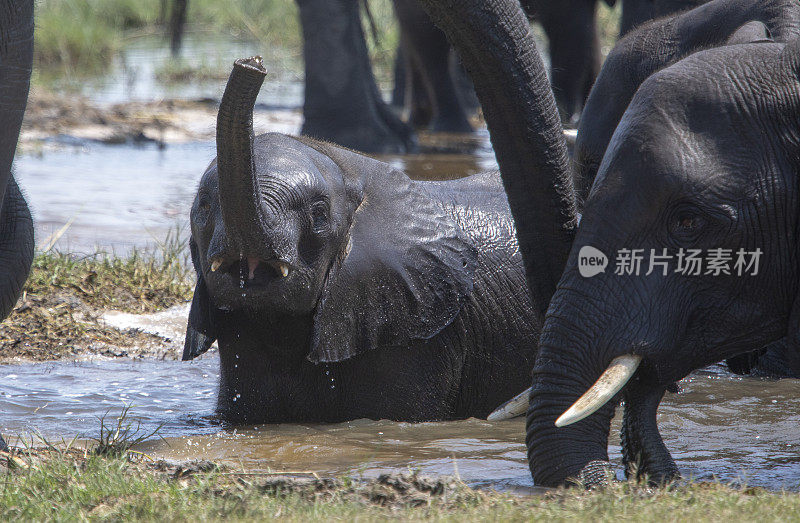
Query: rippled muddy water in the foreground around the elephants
x=731 y=428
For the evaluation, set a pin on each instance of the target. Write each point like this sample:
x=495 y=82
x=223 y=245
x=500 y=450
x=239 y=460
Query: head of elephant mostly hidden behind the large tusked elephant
x=663 y=42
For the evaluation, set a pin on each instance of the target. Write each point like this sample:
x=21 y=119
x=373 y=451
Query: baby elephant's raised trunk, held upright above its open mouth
x=238 y=186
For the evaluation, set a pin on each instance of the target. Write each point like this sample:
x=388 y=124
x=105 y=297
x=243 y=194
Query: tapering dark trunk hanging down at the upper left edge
x=16 y=59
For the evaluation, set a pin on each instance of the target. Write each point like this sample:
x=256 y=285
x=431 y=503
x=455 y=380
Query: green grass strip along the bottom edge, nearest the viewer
x=68 y=486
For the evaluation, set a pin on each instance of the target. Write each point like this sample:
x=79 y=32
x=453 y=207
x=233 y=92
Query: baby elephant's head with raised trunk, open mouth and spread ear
x=291 y=226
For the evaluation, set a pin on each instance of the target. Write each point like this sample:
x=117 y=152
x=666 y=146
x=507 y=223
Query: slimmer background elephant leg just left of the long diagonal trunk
x=430 y=51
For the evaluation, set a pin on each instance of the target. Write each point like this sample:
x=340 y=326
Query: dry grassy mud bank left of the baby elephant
x=61 y=312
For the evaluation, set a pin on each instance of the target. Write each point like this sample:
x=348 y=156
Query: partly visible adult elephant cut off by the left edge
x=16 y=227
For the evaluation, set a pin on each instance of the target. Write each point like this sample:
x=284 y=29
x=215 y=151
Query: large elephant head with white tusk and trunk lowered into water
x=706 y=158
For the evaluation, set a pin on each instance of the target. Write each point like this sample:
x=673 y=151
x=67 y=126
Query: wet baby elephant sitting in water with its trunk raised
x=338 y=288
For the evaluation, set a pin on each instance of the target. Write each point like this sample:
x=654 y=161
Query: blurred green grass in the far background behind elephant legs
x=81 y=37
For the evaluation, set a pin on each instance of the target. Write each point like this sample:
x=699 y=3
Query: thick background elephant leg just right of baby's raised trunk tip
x=342 y=101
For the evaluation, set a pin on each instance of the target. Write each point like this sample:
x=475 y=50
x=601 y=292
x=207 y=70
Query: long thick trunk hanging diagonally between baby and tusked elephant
x=495 y=44
